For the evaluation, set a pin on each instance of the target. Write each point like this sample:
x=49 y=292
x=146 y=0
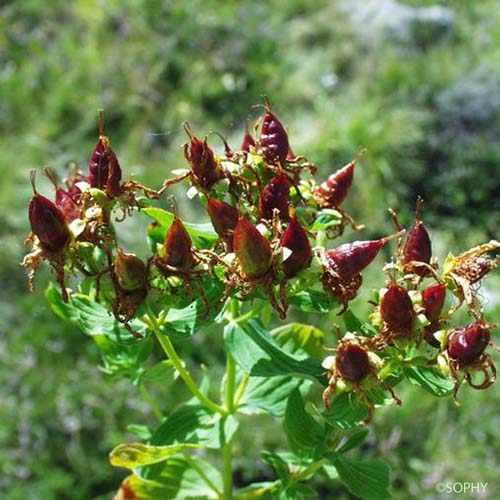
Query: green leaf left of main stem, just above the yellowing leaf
x=195 y=425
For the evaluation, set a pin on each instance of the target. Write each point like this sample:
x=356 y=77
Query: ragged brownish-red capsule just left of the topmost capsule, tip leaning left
x=204 y=165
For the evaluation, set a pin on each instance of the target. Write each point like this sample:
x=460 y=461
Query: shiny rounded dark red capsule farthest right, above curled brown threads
x=467 y=343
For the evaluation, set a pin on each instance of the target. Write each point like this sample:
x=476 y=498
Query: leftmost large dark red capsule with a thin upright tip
x=47 y=221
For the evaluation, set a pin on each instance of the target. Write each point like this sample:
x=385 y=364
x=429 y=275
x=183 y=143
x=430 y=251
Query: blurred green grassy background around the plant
x=415 y=82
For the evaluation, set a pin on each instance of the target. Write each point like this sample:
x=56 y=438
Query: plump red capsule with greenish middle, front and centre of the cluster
x=252 y=250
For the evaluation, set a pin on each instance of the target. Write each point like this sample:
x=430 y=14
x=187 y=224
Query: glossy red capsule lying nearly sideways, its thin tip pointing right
x=350 y=259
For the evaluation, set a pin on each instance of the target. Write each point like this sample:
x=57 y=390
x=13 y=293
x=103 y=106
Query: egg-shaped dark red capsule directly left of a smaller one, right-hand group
x=396 y=309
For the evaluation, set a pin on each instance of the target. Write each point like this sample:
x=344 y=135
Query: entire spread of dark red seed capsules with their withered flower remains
x=263 y=202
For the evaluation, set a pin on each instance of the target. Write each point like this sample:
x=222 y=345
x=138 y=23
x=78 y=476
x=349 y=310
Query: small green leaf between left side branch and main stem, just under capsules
x=183 y=323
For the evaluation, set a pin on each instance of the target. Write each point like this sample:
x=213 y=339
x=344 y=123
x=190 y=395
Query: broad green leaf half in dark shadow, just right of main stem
x=257 y=353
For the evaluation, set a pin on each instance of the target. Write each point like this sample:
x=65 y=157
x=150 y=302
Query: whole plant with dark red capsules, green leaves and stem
x=267 y=245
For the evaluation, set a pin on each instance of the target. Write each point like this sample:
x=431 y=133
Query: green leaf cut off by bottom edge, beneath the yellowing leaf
x=180 y=478
